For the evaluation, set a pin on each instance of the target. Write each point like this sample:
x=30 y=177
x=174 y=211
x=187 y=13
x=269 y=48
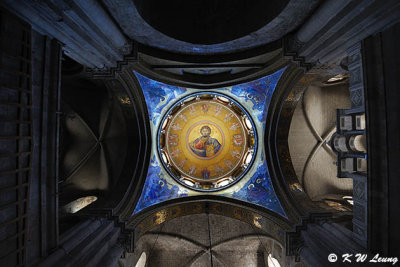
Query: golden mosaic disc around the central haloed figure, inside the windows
x=226 y=127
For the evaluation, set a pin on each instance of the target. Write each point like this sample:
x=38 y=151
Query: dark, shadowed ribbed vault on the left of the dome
x=94 y=141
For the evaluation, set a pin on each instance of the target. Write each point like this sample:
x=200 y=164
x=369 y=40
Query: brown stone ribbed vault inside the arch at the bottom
x=171 y=237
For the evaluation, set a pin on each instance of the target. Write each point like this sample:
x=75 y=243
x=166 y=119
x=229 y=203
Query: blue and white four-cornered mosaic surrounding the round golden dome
x=255 y=187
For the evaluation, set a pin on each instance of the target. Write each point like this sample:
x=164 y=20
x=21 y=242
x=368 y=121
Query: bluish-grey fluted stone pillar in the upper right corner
x=337 y=25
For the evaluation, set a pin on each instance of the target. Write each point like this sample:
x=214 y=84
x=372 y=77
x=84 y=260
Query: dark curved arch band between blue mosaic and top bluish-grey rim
x=228 y=69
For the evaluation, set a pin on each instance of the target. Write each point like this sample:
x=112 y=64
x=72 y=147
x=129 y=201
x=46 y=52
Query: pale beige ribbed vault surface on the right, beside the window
x=313 y=124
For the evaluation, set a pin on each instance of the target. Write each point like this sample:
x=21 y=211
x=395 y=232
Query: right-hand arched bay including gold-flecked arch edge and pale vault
x=308 y=126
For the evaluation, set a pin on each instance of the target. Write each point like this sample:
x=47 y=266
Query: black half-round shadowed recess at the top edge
x=208 y=21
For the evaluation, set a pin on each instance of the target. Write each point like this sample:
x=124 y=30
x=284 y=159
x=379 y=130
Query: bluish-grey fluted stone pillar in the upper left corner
x=89 y=34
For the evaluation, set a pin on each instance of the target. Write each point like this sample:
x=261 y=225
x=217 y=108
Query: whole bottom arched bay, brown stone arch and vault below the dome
x=194 y=228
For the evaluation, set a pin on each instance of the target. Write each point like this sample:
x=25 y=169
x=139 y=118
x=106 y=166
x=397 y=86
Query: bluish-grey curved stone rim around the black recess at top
x=292 y=16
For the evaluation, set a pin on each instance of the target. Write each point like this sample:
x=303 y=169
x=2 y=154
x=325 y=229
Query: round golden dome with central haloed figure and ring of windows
x=207 y=141
